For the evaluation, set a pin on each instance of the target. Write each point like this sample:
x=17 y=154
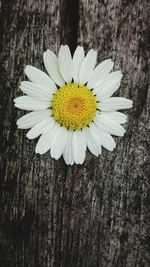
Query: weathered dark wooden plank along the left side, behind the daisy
x=29 y=206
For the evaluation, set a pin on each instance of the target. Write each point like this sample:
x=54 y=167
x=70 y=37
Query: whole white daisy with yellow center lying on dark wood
x=72 y=108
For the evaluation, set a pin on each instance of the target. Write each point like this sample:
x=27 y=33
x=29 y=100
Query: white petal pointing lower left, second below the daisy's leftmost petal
x=41 y=127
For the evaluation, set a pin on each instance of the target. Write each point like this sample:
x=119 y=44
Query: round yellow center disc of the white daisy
x=74 y=106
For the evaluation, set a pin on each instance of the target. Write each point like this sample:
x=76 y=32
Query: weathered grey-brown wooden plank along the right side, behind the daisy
x=119 y=29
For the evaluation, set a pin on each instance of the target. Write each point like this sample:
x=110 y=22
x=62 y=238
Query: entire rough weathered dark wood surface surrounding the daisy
x=95 y=215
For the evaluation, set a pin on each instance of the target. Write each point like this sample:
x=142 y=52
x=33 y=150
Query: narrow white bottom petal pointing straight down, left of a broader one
x=68 y=152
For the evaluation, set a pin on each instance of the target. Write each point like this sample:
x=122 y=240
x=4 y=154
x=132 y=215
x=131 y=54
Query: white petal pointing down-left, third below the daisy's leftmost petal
x=45 y=141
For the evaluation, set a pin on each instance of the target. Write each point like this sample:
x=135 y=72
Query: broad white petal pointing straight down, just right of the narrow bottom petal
x=79 y=147
